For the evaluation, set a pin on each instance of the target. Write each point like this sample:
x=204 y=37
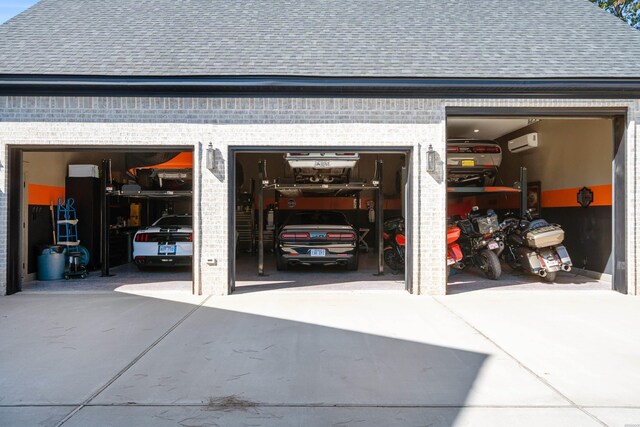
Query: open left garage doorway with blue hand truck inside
x=97 y=219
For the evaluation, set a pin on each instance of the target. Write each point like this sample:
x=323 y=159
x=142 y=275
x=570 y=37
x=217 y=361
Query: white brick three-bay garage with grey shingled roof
x=248 y=90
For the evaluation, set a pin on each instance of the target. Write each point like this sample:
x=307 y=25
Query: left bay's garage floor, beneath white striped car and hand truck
x=125 y=278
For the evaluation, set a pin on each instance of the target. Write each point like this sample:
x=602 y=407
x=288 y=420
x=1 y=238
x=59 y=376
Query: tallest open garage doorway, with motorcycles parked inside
x=551 y=228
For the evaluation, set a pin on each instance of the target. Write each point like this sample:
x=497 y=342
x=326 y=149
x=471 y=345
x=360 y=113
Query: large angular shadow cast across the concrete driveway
x=134 y=360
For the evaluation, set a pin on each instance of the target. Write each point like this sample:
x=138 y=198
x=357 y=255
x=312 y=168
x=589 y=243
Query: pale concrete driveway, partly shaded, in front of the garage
x=564 y=358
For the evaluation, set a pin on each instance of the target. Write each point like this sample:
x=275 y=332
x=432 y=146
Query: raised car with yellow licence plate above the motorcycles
x=472 y=162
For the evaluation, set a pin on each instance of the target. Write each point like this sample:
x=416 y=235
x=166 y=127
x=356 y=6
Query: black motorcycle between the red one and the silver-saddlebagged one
x=481 y=242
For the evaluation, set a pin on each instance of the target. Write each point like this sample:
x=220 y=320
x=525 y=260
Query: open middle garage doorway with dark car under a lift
x=331 y=219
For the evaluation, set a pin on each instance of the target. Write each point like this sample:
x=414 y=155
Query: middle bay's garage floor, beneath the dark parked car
x=305 y=278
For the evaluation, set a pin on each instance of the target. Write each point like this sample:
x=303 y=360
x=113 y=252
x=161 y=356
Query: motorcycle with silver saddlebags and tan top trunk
x=534 y=245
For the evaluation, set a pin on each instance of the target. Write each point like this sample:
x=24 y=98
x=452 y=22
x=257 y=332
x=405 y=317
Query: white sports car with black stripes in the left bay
x=168 y=242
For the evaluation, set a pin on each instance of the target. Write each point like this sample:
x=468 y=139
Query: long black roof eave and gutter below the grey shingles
x=620 y=88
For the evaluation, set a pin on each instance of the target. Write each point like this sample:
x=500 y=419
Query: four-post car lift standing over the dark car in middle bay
x=354 y=189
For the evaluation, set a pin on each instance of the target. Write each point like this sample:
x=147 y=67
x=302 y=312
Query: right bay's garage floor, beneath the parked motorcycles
x=473 y=280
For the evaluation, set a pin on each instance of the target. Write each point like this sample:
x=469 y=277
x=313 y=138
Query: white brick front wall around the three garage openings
x=237 y=122
